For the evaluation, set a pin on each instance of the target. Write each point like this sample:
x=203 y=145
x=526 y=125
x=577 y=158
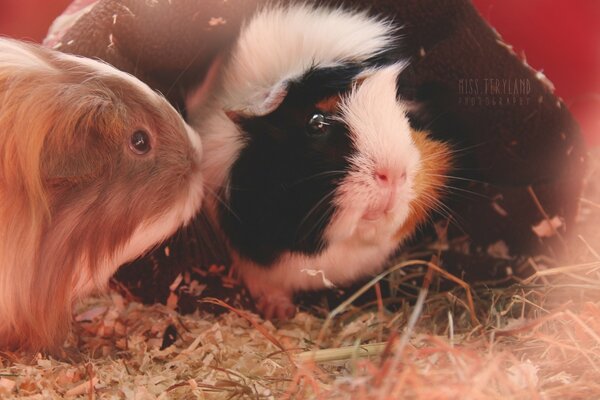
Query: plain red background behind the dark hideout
x=560 y=37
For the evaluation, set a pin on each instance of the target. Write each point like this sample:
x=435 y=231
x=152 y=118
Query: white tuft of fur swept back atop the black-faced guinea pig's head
x=281 y=44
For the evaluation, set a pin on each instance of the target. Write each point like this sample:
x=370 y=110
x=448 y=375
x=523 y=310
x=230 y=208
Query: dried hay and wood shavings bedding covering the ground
x=537 y=339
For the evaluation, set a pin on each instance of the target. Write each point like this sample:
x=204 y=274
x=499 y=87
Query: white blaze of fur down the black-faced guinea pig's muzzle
x=381 y=134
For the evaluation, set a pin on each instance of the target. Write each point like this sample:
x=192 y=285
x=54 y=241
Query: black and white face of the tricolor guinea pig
x=331 y=162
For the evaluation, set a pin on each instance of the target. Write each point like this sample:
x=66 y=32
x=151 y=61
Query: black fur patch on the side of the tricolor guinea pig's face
x=283 y=183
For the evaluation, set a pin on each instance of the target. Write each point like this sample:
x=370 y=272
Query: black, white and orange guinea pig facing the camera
x=313 y=164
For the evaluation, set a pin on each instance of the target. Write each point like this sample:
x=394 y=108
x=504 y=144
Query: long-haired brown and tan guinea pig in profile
x=95 y=168
